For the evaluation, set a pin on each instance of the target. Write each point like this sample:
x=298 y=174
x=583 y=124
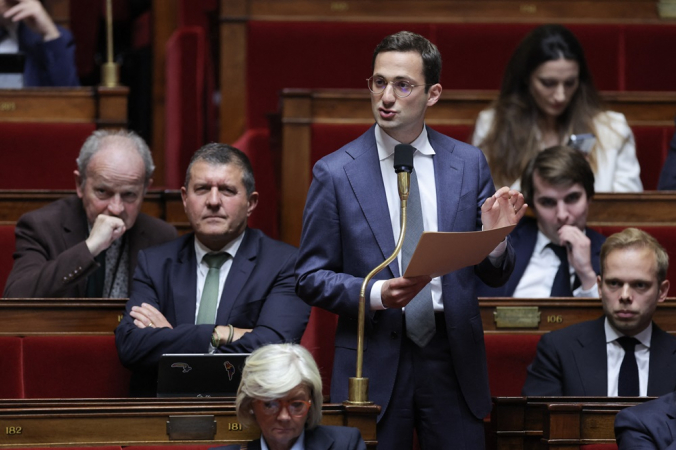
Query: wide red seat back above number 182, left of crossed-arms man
x=73 y=367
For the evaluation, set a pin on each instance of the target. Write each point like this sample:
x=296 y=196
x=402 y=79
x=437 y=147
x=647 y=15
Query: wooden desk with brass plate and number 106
x=503 y=315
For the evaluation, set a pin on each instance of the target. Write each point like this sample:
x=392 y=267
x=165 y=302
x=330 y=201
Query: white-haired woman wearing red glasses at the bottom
x=281 y=393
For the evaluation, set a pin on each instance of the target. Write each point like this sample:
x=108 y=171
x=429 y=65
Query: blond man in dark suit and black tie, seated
x=622 y=353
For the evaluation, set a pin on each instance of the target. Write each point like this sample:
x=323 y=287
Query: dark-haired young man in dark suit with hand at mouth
x=556 y=254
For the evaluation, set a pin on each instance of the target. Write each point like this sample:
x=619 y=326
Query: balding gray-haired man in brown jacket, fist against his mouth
x=86 y=245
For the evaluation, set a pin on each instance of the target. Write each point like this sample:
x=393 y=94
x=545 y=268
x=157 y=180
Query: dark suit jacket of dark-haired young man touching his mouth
x=523 y=239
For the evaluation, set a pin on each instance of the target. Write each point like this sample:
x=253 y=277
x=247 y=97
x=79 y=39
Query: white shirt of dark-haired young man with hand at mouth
x=538 y=278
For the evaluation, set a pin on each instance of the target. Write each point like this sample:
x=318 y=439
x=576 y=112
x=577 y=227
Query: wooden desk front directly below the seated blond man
x=555 y=422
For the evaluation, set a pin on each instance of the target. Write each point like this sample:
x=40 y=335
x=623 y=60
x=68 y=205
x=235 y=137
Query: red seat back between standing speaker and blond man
x=508 y=356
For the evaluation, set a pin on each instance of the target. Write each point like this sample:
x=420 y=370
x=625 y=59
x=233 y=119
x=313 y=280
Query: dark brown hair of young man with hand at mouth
x=559 y=166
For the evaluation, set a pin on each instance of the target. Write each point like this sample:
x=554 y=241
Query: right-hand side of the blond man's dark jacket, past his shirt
x=662 y=370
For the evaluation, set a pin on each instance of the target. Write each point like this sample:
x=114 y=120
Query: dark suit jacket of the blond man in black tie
x=573 y=362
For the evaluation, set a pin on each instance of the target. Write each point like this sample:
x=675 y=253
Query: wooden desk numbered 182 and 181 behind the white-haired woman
x=146 y=421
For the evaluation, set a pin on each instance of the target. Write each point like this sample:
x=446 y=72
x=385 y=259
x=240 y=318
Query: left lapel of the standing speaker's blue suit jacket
x=366 y=181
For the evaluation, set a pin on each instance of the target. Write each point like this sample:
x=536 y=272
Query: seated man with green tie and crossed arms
x=252 y=300
